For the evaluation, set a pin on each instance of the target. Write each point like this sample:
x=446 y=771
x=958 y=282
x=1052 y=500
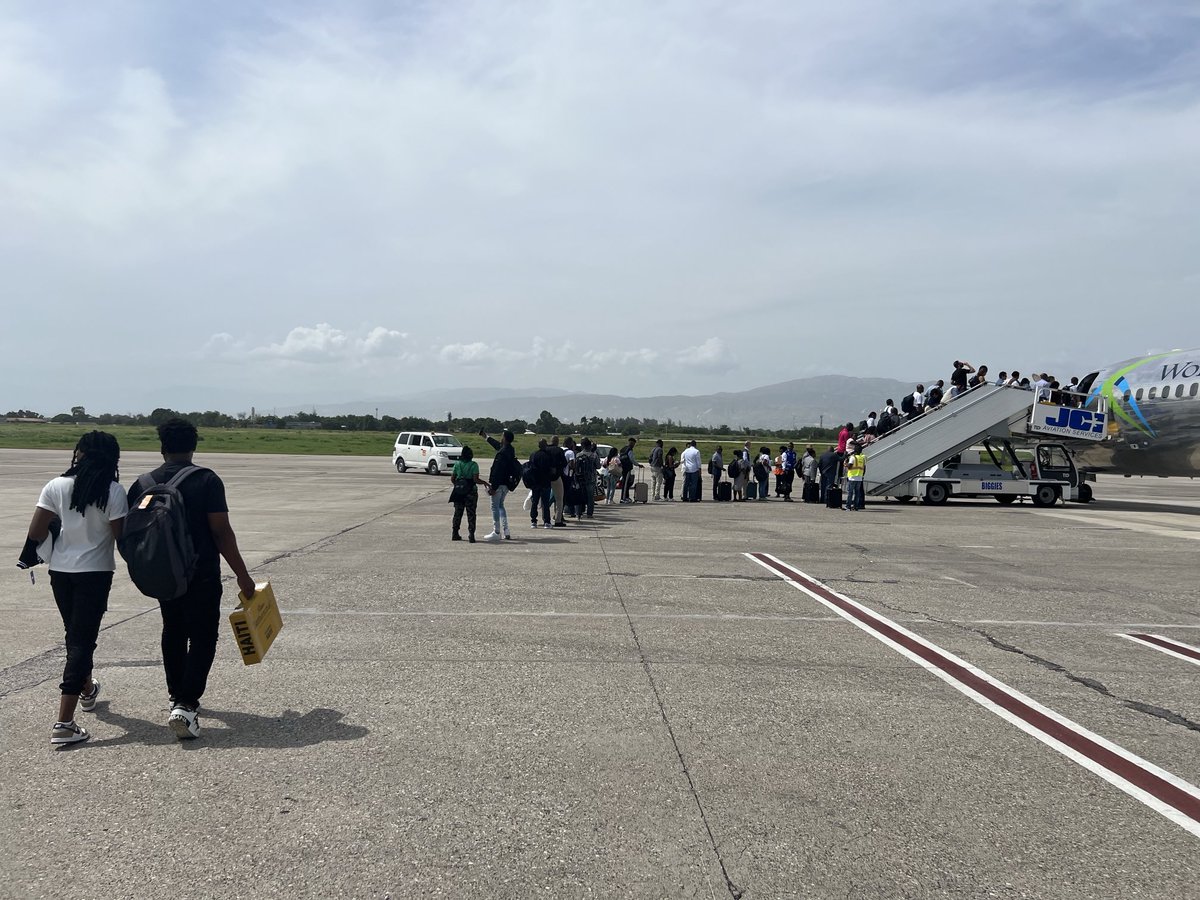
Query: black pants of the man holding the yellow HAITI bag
x=190 y=626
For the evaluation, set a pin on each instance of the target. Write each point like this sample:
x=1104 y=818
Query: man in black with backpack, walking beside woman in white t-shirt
x=190 y=621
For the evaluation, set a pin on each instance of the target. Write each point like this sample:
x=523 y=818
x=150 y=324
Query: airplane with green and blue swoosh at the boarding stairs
x=1154 y=417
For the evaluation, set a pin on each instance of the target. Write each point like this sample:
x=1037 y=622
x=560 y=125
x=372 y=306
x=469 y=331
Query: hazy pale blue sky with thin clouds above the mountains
x=224 y=206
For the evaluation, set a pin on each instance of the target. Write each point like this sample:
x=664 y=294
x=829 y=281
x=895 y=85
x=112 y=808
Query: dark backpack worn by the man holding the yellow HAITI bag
x=157 y=544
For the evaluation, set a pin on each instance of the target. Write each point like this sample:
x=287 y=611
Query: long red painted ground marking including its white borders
x=1162 y=791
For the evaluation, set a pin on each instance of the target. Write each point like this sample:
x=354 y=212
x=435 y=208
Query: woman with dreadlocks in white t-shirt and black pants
x=91 y=507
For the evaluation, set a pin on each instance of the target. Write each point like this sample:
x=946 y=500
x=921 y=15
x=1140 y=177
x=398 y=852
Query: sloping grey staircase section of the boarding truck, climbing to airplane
x=985 y=412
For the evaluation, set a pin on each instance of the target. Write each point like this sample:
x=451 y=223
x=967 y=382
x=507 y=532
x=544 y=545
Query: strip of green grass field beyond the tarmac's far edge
x=316 y=443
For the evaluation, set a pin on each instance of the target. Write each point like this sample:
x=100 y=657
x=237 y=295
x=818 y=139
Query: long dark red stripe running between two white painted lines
x=1101 y=755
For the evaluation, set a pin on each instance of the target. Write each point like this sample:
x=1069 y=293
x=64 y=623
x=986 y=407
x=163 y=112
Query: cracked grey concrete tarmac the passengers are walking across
x=625 y=707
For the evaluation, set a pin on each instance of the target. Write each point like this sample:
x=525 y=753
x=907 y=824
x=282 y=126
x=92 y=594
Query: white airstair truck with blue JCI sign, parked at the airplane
x=923 y=458
